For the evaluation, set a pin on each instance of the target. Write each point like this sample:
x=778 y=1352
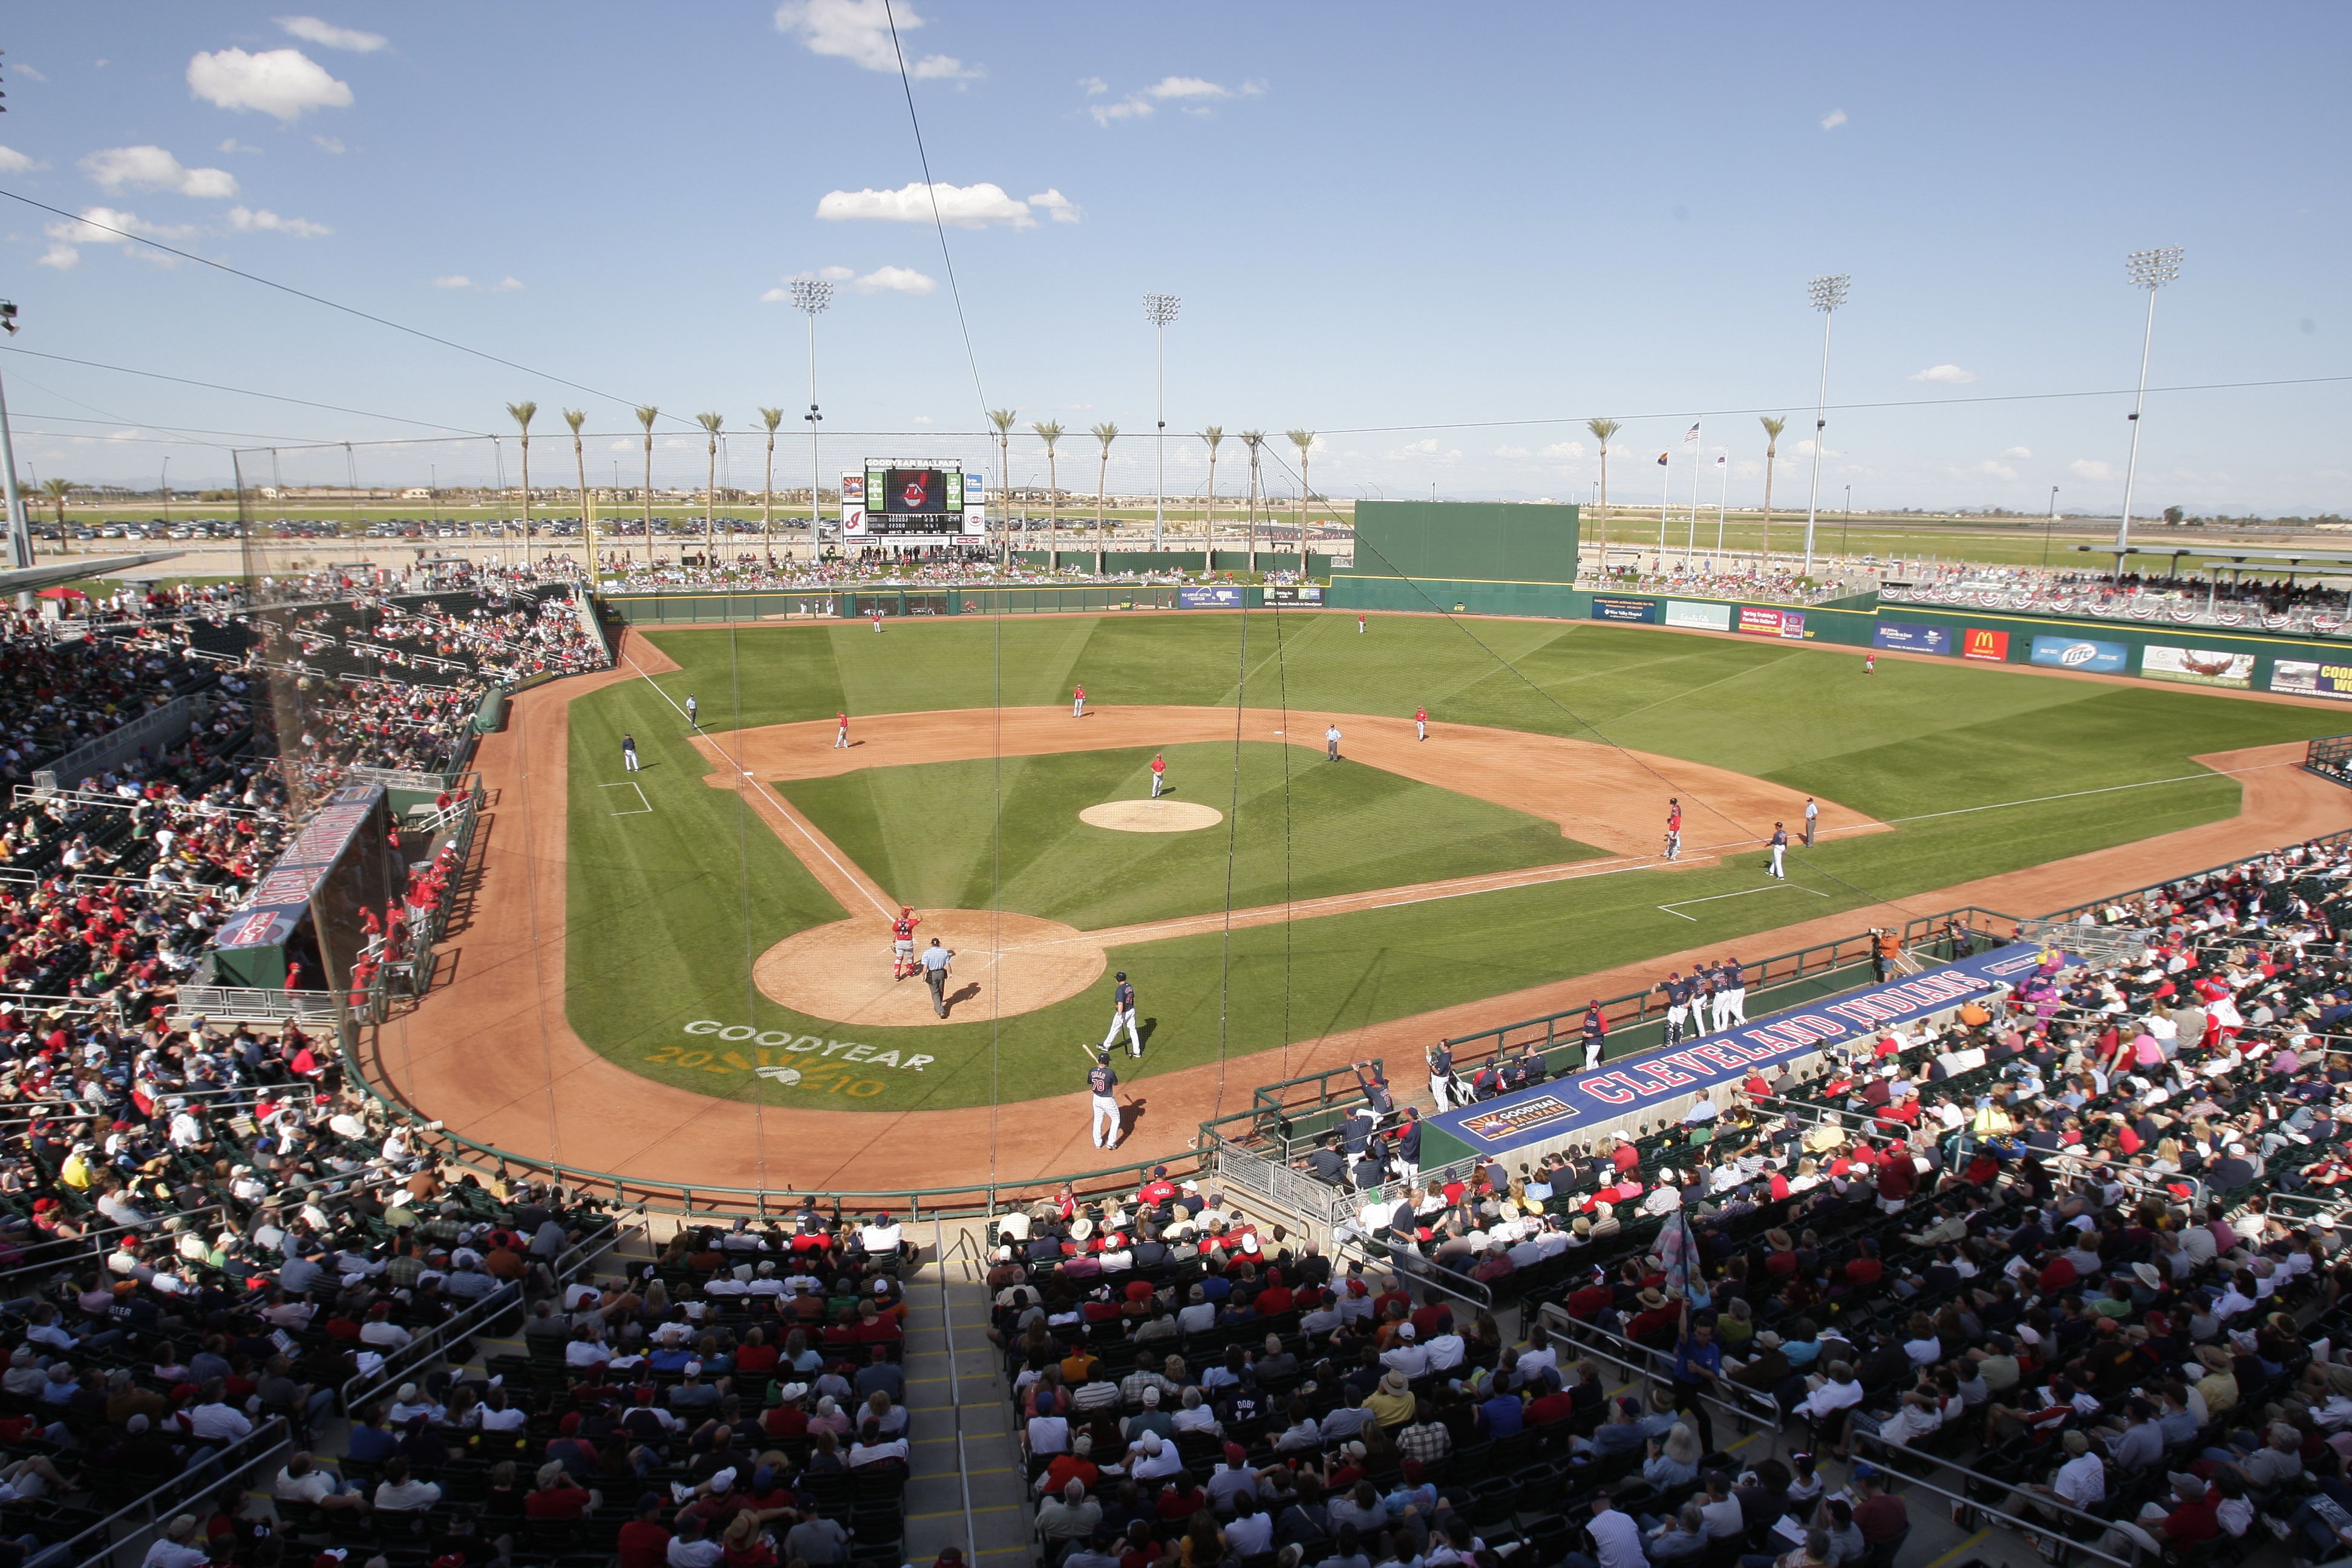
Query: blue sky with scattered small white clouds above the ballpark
x=1401 y=227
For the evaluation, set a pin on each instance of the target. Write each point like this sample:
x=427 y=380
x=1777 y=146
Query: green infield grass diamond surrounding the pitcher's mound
x=1342 y=831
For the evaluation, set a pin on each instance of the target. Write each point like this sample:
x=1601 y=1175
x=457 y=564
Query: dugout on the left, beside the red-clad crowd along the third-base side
x=307 y=906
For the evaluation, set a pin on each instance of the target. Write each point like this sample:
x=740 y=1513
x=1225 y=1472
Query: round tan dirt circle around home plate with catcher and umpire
x=1003 y=965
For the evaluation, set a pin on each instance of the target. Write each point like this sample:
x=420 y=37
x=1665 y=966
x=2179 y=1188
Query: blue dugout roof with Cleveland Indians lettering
x=1723 y=1059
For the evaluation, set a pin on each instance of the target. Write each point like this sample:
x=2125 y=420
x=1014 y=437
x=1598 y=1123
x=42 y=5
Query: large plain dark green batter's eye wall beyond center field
x=1483 y=558
